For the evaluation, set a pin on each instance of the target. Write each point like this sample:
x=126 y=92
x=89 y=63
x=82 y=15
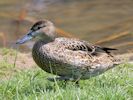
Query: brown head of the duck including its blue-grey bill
x=43 y=29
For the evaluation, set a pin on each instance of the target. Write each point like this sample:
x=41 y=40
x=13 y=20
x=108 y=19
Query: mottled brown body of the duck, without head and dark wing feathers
x=56 y=57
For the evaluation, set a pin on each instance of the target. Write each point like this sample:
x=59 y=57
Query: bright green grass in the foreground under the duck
x=31 y=84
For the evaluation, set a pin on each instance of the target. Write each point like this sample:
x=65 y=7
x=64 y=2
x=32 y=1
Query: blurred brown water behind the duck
x=103 y=22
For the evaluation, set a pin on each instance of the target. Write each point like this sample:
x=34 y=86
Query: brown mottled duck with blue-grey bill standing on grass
x=68 y=58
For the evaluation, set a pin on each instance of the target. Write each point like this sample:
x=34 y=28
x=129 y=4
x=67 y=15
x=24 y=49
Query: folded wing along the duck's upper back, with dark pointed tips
x=76 y=44
